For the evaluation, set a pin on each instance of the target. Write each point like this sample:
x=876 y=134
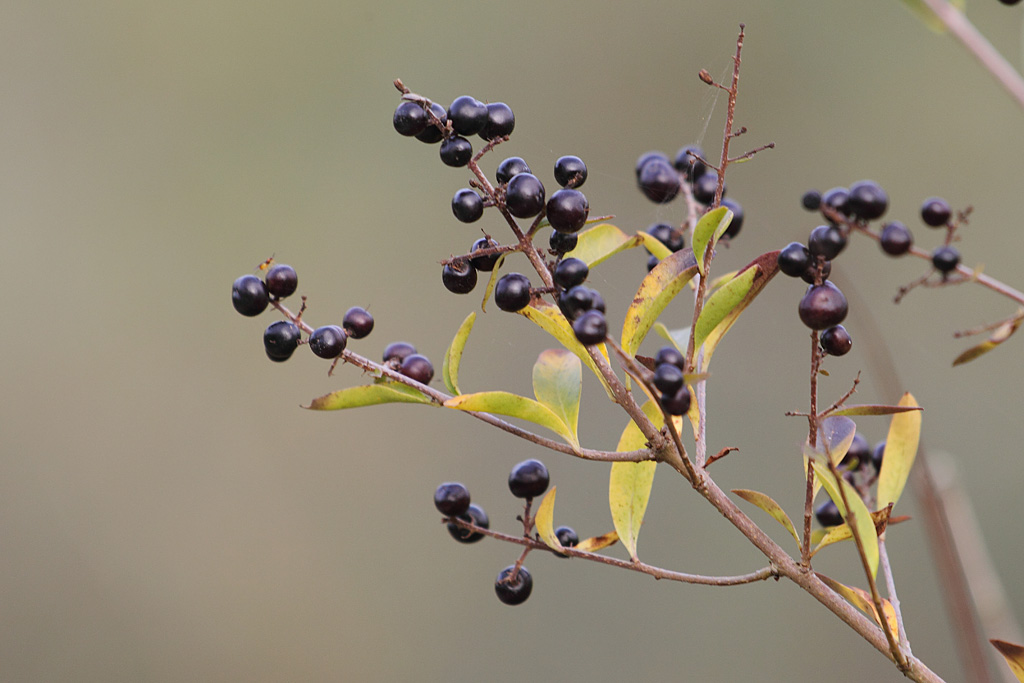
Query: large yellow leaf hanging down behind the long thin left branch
x=630 y=484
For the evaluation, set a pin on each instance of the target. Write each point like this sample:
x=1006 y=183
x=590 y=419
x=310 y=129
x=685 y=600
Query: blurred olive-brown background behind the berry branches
x=167 y=510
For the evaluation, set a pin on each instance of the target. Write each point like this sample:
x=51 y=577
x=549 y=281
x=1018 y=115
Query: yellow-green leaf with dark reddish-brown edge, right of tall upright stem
x=724 y=307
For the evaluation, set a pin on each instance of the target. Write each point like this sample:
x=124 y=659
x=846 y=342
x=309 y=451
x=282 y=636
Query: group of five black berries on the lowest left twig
x=528 y=481
